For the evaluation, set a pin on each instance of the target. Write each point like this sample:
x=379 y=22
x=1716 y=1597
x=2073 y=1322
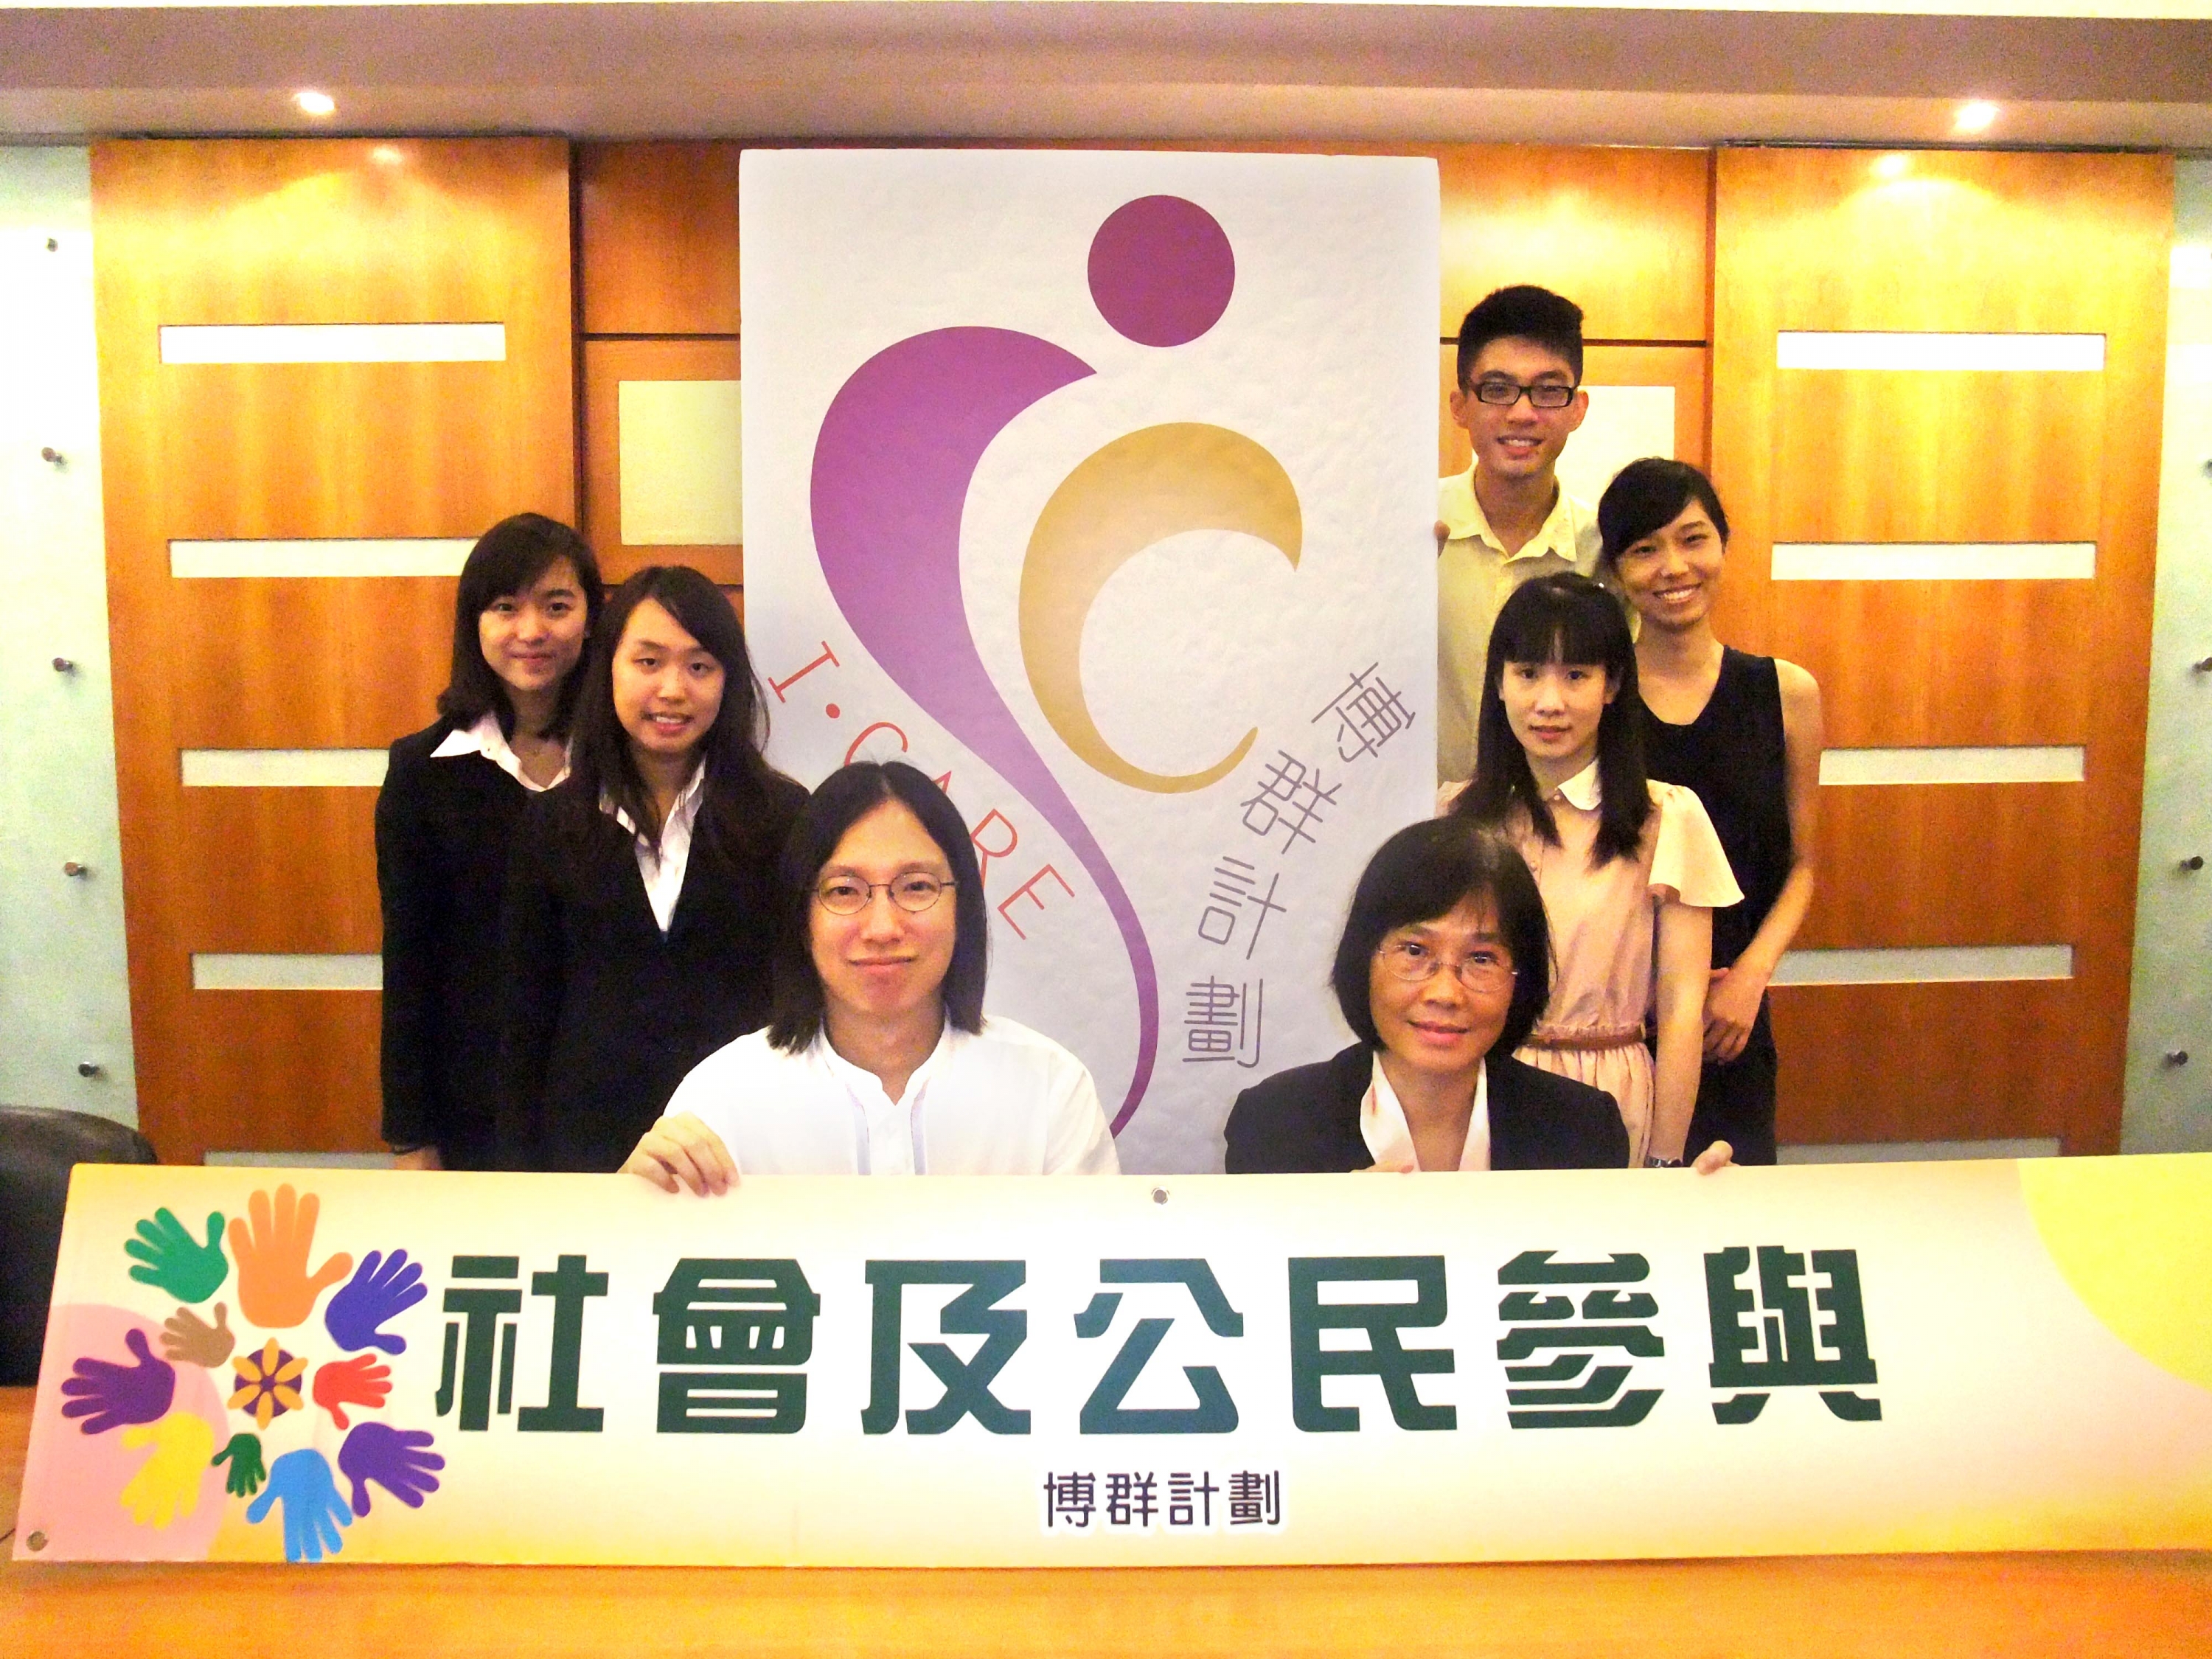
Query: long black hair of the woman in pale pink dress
x=1563 y=618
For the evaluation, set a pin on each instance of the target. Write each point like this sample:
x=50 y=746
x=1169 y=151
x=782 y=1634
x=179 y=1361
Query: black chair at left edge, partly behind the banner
x=36 y=1154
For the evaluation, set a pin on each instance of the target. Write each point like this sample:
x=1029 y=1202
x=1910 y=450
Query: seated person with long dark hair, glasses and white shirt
x=879 y=1058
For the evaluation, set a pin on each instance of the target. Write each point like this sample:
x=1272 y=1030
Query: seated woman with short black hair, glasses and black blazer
x=1443 y=968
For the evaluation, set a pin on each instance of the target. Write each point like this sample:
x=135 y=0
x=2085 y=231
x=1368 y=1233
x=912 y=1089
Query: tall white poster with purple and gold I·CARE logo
x=1098 y=488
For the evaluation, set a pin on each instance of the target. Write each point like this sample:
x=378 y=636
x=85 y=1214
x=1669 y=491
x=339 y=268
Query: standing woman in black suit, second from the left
x=640 y=895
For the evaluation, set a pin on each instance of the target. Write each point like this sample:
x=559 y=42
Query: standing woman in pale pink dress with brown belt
x=1631 y=870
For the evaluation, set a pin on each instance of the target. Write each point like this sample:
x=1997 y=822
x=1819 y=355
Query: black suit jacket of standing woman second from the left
x=603 y=1014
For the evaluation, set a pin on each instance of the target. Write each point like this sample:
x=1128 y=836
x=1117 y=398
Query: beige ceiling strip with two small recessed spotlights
x=1112 y=70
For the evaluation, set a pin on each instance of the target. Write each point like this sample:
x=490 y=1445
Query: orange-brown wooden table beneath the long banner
x=1804 y=1607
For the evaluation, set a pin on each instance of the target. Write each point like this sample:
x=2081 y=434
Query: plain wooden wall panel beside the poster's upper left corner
x=658 y=231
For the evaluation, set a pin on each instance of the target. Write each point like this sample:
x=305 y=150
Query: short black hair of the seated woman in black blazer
x=1423 y=873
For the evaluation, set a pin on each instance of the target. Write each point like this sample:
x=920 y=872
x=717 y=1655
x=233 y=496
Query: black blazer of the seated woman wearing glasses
x=1308 y=1120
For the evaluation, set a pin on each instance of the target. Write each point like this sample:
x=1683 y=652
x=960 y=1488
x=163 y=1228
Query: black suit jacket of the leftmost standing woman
x=441 y=870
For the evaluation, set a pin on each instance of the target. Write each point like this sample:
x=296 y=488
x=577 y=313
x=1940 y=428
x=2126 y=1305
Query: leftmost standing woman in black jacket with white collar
x=446 y=817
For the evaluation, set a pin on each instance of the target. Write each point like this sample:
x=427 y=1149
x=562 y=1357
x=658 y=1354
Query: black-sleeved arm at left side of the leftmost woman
x=408 y=888
